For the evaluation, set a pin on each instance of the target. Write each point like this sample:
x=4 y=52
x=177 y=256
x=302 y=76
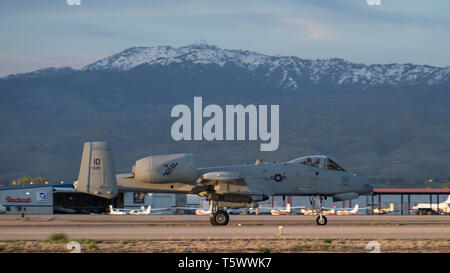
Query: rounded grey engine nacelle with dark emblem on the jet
x=166 y=168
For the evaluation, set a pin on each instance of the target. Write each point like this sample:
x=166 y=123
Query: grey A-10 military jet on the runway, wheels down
x=239 y=186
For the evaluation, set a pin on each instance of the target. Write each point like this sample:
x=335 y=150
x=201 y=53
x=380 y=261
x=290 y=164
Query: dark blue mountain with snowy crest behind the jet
x=385 y=121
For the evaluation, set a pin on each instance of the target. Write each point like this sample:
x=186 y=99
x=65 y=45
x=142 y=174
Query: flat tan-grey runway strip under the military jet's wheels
x=163 y=227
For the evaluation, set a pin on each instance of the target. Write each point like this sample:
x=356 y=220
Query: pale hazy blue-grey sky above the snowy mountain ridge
x=42 y=33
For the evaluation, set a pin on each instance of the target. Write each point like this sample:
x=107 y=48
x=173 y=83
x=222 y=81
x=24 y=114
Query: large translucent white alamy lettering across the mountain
x=214 y=129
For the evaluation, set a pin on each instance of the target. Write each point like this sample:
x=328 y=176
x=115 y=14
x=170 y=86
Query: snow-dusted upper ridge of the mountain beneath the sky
x=290 y=72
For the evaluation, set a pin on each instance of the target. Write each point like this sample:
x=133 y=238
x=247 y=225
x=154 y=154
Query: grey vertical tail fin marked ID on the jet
x=97 y=172
